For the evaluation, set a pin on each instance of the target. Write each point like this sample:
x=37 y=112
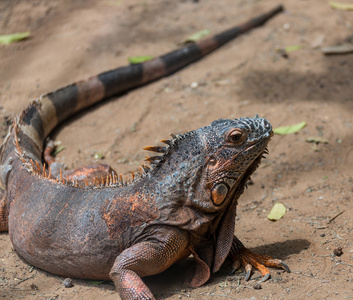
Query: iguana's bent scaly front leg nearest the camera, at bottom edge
x=147 y=258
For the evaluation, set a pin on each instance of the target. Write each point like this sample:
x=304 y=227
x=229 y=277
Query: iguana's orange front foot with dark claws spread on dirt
x=243 y=257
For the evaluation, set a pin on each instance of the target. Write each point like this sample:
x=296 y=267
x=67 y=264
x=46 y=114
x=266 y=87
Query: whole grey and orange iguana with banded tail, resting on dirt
x=90 y=223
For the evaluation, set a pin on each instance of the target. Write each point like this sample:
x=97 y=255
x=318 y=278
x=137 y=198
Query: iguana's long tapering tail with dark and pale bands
x=49 y=110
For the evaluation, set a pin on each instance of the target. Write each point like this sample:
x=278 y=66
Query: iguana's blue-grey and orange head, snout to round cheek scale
x=234 y=149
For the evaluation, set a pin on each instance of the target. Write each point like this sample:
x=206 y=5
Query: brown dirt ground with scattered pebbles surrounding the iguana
x=71 y=40
